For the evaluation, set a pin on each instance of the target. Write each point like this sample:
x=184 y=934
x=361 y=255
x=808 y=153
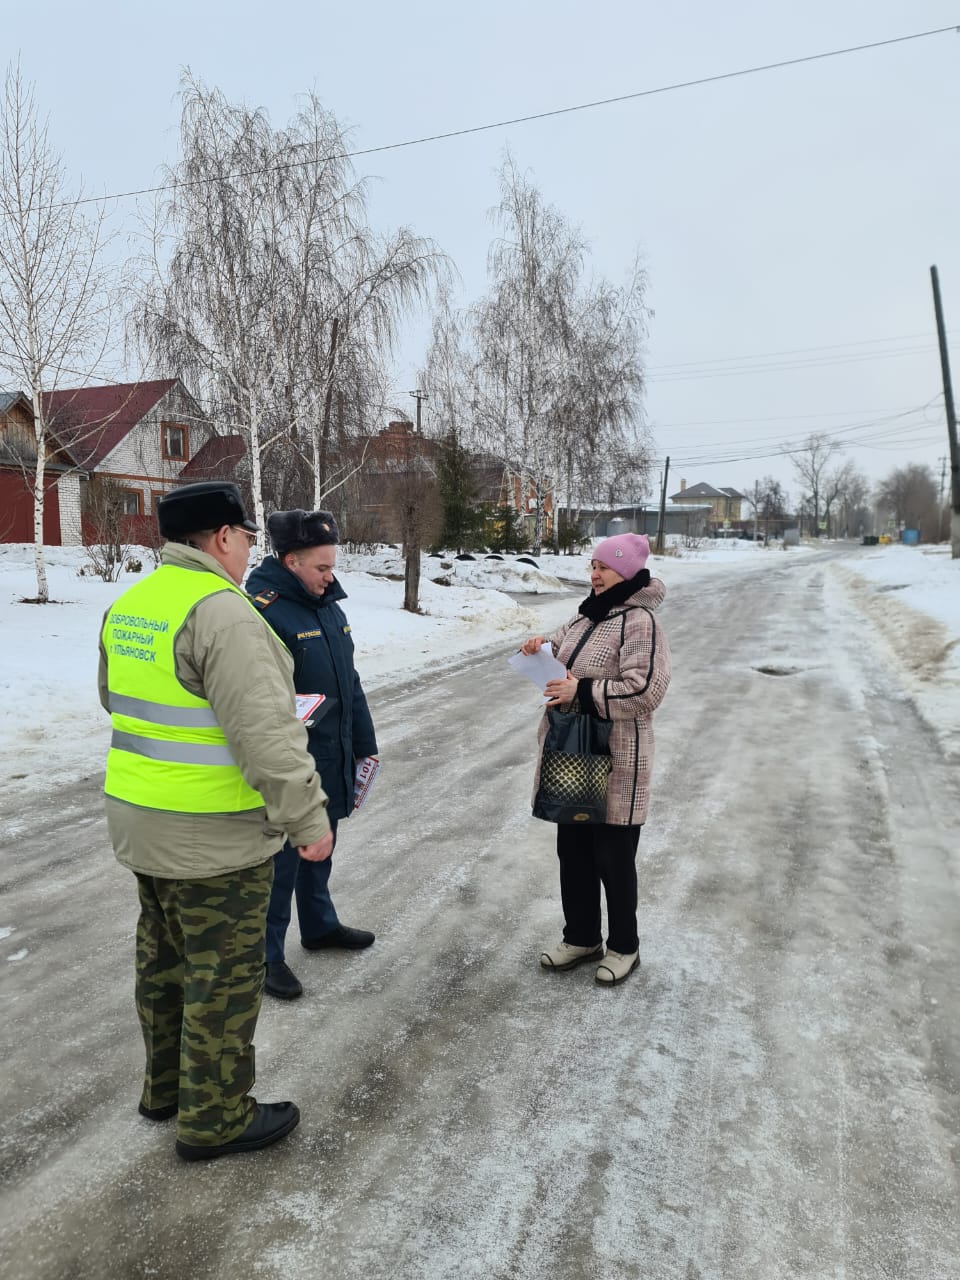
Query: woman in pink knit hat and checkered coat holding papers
x=620 y=673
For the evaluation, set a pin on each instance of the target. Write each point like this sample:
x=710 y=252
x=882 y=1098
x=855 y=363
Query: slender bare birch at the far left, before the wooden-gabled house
x=54 y=291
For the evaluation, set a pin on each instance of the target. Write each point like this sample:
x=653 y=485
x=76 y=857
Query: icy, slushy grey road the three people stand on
x=775 y=1095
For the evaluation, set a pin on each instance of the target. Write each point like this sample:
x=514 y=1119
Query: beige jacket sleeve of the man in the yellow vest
x=228 y=655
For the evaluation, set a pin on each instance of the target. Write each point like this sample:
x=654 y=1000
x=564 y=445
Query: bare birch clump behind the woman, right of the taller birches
x=546 y=371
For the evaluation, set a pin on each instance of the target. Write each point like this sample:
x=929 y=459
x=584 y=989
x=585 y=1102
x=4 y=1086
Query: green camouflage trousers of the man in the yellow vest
x=200 y=981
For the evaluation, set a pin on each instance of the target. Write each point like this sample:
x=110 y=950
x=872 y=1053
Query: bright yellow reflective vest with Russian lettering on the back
x=167 y=751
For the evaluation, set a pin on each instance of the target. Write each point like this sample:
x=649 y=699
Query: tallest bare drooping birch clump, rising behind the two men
x=277 y=295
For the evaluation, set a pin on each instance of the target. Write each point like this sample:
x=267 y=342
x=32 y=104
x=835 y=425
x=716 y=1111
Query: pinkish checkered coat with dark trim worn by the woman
x=627 y=662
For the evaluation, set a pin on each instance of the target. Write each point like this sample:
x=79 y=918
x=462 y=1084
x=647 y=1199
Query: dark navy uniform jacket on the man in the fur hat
x=317 y=633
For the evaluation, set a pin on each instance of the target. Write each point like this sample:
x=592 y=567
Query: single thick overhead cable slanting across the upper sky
x=527 y=120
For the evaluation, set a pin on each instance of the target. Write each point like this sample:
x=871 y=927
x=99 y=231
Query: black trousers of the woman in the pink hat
x=592 y=857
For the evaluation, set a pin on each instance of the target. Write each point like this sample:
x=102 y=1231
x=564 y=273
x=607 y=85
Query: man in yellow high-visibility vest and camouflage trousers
x=208 y=771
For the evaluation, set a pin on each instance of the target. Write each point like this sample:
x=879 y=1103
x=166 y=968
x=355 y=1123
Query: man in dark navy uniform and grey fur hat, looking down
x=299 y=596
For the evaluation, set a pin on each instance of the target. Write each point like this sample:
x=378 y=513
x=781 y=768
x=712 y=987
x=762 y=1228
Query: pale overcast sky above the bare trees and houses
x=778 y=213
